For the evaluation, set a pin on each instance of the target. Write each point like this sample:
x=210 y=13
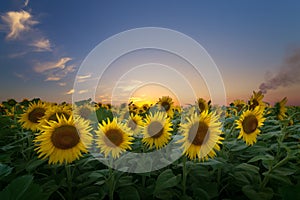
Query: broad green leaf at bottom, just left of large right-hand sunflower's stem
x=165 y=180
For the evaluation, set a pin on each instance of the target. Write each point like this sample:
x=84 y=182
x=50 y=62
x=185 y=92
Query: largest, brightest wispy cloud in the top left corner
x=17 y=22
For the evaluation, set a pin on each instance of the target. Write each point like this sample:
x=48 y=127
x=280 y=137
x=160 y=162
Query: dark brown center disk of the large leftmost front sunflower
x=65 y=137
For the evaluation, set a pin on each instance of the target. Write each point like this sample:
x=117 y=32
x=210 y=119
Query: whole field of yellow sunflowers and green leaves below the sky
x=247 y=150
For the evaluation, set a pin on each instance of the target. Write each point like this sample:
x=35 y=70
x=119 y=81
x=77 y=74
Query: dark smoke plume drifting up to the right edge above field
x=288 y=75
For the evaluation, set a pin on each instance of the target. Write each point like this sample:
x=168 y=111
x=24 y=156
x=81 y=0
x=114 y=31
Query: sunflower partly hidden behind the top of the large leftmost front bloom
x=54 y=111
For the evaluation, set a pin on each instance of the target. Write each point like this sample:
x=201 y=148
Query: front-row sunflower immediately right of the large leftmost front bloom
x=113 y=138
